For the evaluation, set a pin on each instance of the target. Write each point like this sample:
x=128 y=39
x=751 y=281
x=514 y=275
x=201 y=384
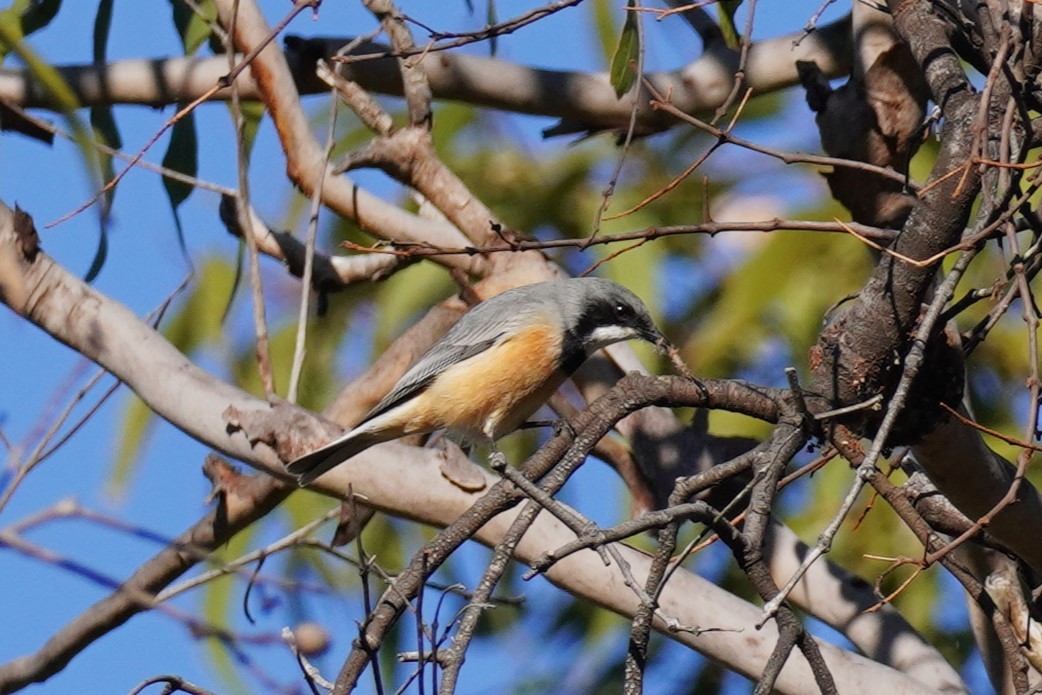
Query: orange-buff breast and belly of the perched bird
x=494 y=392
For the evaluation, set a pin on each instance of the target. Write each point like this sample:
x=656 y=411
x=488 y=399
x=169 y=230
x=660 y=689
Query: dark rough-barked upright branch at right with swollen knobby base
x=854 y=359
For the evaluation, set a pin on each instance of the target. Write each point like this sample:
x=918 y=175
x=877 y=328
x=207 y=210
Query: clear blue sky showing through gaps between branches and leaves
x=167 y=492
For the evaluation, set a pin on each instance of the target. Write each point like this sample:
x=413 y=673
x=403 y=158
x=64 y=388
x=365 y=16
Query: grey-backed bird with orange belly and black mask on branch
x=497 y=366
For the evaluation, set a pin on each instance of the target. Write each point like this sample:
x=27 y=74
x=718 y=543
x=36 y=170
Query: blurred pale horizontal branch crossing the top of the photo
x=583 y=101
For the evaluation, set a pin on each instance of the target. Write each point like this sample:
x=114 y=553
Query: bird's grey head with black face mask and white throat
x=599 y=313
